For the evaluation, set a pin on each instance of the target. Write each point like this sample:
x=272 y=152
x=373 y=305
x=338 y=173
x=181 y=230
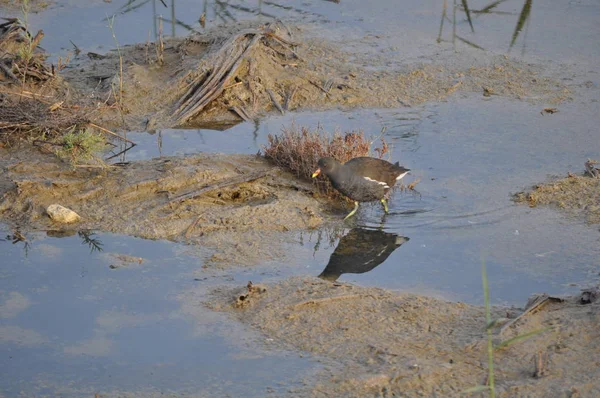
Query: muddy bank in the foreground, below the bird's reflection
x=384 y=343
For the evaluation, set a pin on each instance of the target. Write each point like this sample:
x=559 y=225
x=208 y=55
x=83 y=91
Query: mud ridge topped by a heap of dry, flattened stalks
x=231 y=74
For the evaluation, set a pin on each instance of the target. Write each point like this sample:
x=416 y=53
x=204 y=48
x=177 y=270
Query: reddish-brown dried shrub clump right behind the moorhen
x=298 y=149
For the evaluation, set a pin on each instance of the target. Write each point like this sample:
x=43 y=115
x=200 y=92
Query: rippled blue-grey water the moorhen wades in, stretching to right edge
x=470 y=156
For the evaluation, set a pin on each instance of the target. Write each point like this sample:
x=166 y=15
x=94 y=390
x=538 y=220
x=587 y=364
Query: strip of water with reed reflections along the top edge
x=560 y=30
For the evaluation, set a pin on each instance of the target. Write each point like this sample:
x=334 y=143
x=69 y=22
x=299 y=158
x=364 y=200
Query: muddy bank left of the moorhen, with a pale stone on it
x=234 y=207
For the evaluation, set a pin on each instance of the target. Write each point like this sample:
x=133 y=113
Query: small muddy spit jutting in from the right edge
x=578 y=195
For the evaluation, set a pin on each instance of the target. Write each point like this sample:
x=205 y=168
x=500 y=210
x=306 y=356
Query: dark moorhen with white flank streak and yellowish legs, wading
x=362 y=179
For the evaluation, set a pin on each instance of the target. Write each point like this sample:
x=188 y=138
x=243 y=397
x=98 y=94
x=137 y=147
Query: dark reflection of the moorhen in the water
x=359 y=251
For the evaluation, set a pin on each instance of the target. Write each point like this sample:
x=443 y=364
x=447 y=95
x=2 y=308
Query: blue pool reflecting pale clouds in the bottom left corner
x=71 y=324
